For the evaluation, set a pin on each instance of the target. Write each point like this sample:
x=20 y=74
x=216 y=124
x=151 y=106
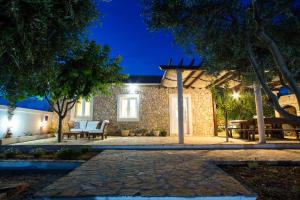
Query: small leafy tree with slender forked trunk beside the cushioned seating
x=82 y=72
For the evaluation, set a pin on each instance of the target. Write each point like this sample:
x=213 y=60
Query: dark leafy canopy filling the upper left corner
x=33 y=34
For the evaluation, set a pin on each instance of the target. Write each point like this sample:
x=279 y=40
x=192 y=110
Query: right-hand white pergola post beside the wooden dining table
x=259 y=113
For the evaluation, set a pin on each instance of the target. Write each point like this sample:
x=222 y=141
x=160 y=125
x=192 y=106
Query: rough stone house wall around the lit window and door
x=154 y=109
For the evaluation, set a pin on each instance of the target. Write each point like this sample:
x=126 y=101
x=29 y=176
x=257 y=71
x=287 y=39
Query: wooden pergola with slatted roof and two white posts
x=193 y=76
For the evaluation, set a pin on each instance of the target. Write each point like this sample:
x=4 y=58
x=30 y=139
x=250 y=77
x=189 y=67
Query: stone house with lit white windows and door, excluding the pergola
x=144 y=103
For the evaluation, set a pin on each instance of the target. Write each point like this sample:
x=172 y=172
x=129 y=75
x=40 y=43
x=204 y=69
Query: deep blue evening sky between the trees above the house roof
x=123 y=29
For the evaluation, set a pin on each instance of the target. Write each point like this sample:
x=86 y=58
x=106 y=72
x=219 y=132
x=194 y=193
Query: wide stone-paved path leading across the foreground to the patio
x=148 y=174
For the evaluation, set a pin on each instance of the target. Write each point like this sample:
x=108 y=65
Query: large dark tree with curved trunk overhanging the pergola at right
x=258 y=39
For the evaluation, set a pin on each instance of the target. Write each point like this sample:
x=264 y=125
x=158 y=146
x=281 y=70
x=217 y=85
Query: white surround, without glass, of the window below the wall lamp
x=122 y=119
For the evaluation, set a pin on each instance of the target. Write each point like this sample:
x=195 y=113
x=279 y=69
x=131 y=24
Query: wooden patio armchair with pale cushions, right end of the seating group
x=93 y=129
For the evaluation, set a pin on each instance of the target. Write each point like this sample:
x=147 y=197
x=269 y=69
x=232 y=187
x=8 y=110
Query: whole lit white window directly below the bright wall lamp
x=128 y=107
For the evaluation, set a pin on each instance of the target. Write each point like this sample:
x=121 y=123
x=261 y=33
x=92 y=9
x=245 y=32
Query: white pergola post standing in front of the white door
x=180 y=106
